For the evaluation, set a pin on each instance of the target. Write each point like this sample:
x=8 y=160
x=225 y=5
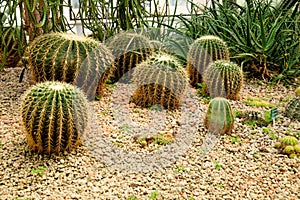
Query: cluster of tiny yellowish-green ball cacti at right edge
x=288 y=145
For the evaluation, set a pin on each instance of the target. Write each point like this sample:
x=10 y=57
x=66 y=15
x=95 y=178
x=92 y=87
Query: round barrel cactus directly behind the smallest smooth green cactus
x=224 y=78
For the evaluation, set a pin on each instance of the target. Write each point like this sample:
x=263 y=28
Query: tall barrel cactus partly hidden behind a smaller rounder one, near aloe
x=202 y=52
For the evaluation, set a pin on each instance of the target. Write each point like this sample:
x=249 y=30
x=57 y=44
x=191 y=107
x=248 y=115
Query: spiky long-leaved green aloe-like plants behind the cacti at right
x=262 y=37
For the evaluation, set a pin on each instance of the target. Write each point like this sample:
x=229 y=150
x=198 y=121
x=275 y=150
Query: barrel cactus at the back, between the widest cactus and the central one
x=129 y=50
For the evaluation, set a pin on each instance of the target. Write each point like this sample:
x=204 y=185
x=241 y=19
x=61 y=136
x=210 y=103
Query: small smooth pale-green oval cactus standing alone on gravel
x=219 y=117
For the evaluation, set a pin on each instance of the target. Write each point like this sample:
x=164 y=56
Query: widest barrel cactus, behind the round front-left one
x=70 y=58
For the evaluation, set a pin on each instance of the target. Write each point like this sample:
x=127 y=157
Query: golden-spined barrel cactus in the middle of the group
x=161 y=80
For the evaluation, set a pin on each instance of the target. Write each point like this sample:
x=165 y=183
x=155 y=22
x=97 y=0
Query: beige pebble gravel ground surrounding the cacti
x=113 y=165
